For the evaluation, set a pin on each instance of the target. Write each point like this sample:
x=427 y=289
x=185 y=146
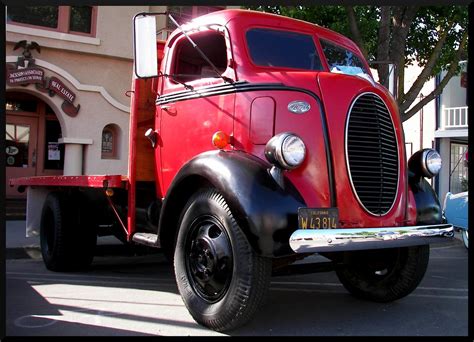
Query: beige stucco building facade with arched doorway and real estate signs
x=69 y=72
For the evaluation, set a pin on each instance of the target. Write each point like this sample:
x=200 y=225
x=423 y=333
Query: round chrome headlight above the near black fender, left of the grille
x=285 y=150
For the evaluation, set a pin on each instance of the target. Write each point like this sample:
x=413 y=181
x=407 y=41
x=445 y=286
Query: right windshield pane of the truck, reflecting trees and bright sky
x=342 y=60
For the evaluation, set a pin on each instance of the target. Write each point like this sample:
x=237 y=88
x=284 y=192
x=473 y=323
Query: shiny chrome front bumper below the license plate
x=336 y=240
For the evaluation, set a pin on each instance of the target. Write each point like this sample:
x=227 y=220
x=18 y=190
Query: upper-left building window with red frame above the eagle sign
x=67 y=19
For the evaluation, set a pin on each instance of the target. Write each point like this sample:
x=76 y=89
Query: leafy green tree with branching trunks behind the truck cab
x=427 y=24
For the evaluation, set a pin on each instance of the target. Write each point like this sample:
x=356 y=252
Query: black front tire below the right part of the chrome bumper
x=384 y=275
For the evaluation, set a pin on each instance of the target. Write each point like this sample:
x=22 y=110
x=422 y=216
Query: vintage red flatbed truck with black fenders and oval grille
x=255 y=141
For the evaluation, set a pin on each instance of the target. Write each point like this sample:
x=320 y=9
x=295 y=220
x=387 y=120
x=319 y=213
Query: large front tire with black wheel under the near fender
x=220 y=278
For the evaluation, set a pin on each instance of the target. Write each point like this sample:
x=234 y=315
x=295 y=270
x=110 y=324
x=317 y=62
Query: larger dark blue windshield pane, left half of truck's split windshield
x=275 y=48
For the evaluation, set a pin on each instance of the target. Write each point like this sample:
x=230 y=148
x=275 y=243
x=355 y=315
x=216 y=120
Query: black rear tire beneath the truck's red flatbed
x=67 y=234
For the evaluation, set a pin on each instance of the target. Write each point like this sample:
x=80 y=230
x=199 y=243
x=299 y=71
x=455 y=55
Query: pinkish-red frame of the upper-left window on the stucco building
x=64 y=16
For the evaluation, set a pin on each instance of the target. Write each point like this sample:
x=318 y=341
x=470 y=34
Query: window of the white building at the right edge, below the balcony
x=459 y=176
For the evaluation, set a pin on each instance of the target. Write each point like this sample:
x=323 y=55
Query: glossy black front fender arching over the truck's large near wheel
x=266 y=213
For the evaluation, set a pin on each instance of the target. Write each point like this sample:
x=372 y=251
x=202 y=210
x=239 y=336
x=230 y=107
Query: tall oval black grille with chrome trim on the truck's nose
x=372 y=154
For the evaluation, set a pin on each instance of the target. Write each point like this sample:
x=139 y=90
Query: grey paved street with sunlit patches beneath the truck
x=137 y=295
